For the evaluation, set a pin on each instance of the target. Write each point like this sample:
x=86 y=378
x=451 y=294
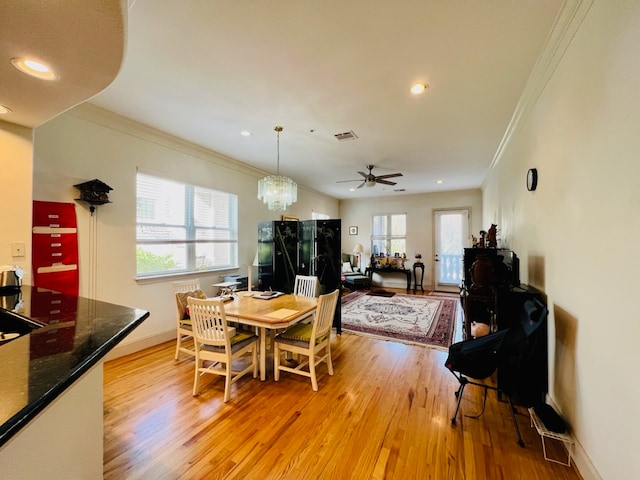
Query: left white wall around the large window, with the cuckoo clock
x=87 y=143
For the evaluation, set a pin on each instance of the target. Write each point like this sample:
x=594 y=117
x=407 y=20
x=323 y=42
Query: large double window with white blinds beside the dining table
x=184 y=228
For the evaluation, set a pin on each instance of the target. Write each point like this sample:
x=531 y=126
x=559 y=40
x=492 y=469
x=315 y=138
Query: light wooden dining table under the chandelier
x=265 y=314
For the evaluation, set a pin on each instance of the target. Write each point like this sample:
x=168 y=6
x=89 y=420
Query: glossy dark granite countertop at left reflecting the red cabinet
x=37 y=367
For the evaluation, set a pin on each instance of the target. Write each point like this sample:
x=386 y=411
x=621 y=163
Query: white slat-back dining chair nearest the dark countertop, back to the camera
x=219 y=344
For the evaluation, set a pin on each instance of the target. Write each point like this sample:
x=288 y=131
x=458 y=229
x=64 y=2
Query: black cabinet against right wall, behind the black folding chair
x=497 y=299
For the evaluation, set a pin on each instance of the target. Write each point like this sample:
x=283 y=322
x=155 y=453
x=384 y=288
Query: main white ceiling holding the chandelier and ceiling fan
x=204 y=70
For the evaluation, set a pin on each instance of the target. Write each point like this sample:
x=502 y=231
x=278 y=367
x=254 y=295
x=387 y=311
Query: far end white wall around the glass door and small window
x=420 y=235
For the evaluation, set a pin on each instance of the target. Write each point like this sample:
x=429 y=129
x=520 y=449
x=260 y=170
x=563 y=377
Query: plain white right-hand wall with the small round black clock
x=577 y=234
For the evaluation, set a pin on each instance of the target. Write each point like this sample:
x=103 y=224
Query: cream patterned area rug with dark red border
x=424 y=320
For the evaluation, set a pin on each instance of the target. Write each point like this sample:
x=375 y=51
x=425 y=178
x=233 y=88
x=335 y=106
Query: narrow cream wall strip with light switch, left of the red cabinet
x=16 y=153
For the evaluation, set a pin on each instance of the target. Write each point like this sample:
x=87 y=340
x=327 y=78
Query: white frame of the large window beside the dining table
x=190 y=226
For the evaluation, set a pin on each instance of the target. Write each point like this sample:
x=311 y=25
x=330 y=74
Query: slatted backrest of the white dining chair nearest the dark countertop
x=209 y=322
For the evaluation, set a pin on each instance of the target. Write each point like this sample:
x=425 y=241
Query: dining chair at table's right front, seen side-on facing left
x=311 y=340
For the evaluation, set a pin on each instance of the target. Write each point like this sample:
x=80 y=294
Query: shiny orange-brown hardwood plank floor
x=385 y=413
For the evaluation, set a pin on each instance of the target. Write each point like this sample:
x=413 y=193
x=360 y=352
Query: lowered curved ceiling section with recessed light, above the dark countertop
x=82 y=41
